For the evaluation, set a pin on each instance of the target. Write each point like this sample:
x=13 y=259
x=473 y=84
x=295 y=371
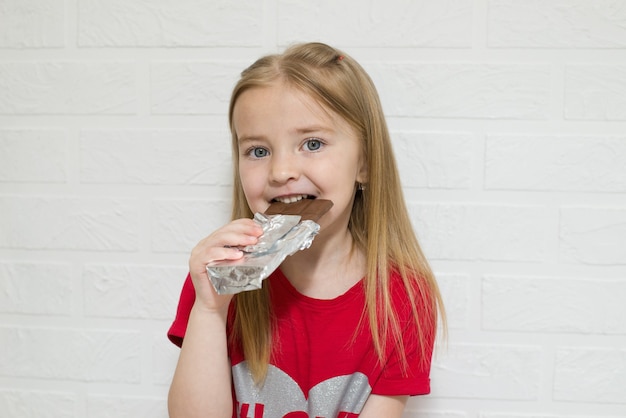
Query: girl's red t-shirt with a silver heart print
x=323 y=362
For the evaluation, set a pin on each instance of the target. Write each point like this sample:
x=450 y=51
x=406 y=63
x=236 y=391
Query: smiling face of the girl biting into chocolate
x=291 y=148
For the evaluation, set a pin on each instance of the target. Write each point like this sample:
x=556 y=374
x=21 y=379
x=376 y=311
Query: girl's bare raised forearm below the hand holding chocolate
x=201 y=386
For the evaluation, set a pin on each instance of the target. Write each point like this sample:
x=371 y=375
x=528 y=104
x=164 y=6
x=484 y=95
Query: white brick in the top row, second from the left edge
x=168 y=23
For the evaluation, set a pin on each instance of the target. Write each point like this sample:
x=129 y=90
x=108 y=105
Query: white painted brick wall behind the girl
x=509 y=122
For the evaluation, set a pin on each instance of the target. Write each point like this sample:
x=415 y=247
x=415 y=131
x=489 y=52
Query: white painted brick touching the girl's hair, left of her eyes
x=149 y=157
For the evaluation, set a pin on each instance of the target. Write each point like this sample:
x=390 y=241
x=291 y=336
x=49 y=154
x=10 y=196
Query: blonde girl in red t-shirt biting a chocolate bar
x=345 y=328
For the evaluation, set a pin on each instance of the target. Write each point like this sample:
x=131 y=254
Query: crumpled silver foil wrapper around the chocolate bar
x=283 y=235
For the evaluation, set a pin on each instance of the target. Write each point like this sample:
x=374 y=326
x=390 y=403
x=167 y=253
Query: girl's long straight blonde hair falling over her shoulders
x=379 y=221
